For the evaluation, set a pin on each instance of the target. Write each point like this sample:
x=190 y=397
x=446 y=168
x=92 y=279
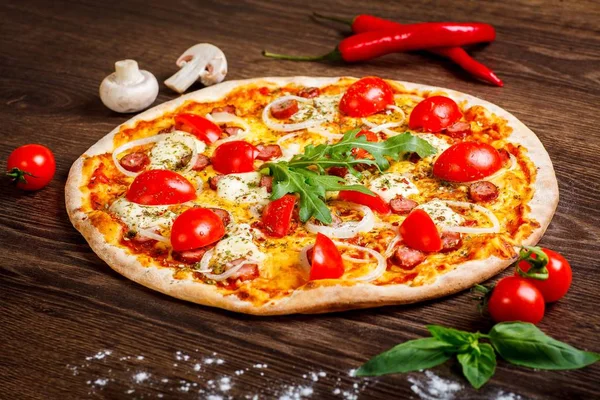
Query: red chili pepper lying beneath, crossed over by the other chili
x=368 y=23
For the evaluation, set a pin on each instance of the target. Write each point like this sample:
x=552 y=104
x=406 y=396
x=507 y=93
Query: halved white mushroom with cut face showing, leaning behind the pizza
x=204 y=62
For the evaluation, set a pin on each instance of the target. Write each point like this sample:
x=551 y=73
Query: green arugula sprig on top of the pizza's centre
x=305 y=174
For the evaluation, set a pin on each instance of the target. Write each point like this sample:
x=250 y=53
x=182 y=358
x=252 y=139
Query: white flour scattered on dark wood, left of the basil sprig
x=198 y=378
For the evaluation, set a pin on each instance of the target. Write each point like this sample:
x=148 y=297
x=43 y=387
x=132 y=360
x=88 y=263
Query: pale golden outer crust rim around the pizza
x=324 y=298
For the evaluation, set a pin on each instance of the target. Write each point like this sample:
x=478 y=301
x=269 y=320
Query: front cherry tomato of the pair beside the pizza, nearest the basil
x=516 y=299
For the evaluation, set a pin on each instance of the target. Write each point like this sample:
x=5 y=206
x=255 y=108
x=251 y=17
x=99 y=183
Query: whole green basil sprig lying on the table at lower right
x=518 y=343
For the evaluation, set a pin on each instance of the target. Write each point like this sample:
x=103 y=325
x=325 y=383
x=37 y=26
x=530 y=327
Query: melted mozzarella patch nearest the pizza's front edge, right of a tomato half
x=238 y=244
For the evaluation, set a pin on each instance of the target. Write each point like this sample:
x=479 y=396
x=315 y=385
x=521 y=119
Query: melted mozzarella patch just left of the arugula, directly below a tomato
x=242 y=188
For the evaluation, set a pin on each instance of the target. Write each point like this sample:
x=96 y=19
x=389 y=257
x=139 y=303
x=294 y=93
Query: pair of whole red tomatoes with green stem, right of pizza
x=541 y=276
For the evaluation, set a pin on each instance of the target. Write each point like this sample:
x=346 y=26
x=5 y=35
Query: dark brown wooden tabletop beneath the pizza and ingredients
x=73 y=328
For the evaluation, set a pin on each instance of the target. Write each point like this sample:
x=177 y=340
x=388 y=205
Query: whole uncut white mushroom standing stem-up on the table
x=128 y=89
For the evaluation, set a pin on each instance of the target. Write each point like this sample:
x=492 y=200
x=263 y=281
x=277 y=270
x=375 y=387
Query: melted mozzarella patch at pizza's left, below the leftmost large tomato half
x=136 y=216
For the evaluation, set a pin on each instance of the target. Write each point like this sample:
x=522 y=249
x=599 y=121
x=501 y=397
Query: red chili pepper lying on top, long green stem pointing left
x=368 y=45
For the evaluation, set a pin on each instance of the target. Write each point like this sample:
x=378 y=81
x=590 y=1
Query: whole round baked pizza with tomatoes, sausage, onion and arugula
x=308 y=195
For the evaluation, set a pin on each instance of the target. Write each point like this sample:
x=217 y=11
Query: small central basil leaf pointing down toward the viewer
x=479 y=364
